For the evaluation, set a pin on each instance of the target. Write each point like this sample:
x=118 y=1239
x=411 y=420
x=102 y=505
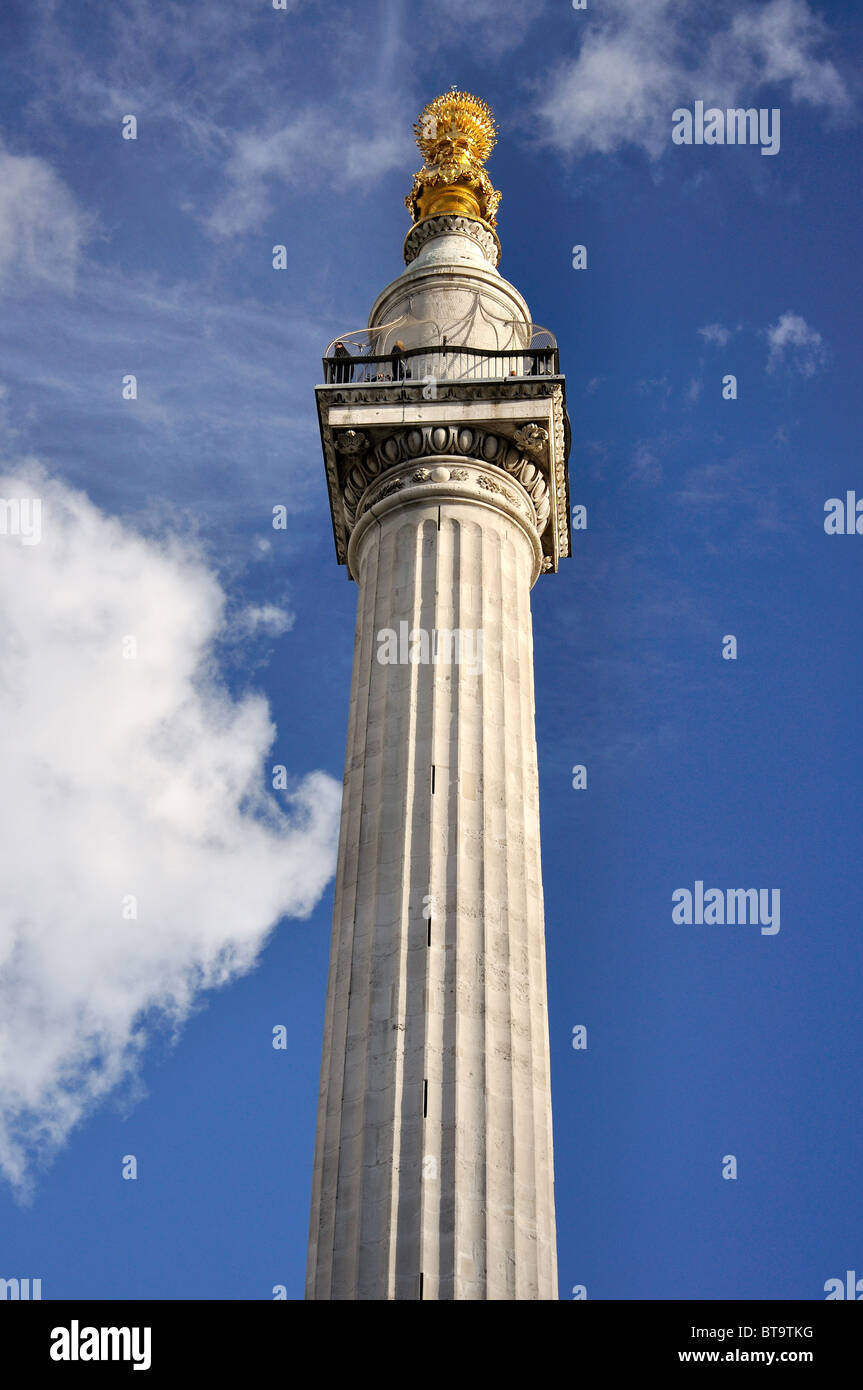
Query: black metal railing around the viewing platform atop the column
x=427 y=366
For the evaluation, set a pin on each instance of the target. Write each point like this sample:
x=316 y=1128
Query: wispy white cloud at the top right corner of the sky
x=640 y=60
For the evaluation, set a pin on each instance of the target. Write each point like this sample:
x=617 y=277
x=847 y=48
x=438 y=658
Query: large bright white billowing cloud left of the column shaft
x=126 y=778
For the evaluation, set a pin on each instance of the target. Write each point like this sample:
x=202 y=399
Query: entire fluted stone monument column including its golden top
x=447 y=469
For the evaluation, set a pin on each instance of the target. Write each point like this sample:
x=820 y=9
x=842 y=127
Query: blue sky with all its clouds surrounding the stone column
x=151 y=1035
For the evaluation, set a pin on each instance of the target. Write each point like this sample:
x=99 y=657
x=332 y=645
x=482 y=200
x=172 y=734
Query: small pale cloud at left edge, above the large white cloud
x=42 y=229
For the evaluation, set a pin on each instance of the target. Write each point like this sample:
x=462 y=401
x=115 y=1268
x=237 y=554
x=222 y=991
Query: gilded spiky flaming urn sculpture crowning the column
x=457 y=134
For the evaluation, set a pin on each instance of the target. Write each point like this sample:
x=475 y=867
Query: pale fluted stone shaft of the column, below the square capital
x=434 y=1172
